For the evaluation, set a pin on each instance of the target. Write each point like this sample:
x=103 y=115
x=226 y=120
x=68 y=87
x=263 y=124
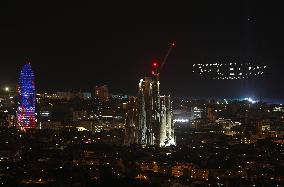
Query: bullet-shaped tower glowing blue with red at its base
x=26 y=109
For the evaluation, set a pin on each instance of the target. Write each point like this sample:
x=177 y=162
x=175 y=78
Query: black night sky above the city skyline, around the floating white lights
x=76 y=46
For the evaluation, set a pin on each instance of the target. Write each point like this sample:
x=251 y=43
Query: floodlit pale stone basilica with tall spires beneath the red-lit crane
x=149 y=117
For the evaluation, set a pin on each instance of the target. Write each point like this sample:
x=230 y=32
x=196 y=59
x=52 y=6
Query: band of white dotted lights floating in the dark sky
x=229 y=71
